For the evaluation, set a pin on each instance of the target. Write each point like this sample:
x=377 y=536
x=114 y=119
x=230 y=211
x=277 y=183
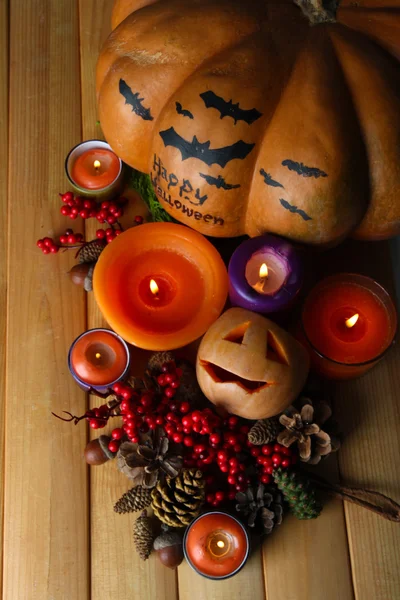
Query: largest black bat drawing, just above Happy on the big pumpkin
x=202 y=151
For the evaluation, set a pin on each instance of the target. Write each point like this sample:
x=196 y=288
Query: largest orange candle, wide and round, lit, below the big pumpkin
x=160 y=286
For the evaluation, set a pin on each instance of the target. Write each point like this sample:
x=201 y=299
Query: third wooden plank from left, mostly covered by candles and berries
x=117 y=571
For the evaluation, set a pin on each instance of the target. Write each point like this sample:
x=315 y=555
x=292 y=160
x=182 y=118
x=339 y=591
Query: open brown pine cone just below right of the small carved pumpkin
x=303 y=427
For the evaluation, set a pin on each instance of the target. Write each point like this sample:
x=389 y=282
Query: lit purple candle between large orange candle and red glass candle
x=265 y=274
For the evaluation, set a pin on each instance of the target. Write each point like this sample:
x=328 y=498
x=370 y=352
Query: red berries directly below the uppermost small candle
x=87 y=208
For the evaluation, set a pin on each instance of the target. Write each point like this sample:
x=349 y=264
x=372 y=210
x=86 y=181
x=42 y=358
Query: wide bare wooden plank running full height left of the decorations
x=46 y=500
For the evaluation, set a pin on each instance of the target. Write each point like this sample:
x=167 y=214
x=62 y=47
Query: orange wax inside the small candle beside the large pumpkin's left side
x=95 y=169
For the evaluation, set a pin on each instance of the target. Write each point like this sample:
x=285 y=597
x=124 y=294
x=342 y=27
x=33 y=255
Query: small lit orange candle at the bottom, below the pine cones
x=216 y=545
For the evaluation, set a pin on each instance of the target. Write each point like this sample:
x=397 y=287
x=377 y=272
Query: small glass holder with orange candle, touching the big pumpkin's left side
x=94 y=164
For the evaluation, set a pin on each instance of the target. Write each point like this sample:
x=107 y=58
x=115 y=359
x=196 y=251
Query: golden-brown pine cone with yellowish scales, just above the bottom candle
x=178 y=501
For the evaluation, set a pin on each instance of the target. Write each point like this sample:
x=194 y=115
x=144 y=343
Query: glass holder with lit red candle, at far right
x=348 y=323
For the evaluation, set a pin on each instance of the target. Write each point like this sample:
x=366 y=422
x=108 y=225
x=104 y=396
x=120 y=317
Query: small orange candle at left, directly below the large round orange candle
x=98 y=358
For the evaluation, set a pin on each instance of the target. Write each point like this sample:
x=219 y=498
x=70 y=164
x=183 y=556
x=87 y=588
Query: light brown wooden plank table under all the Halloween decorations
x=62 y=540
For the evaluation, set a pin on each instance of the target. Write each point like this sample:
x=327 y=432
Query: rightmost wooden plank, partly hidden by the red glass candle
x=369 y=411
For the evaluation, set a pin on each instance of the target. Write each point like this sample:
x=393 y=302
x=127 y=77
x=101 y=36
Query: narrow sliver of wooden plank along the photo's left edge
x=3 y=237
